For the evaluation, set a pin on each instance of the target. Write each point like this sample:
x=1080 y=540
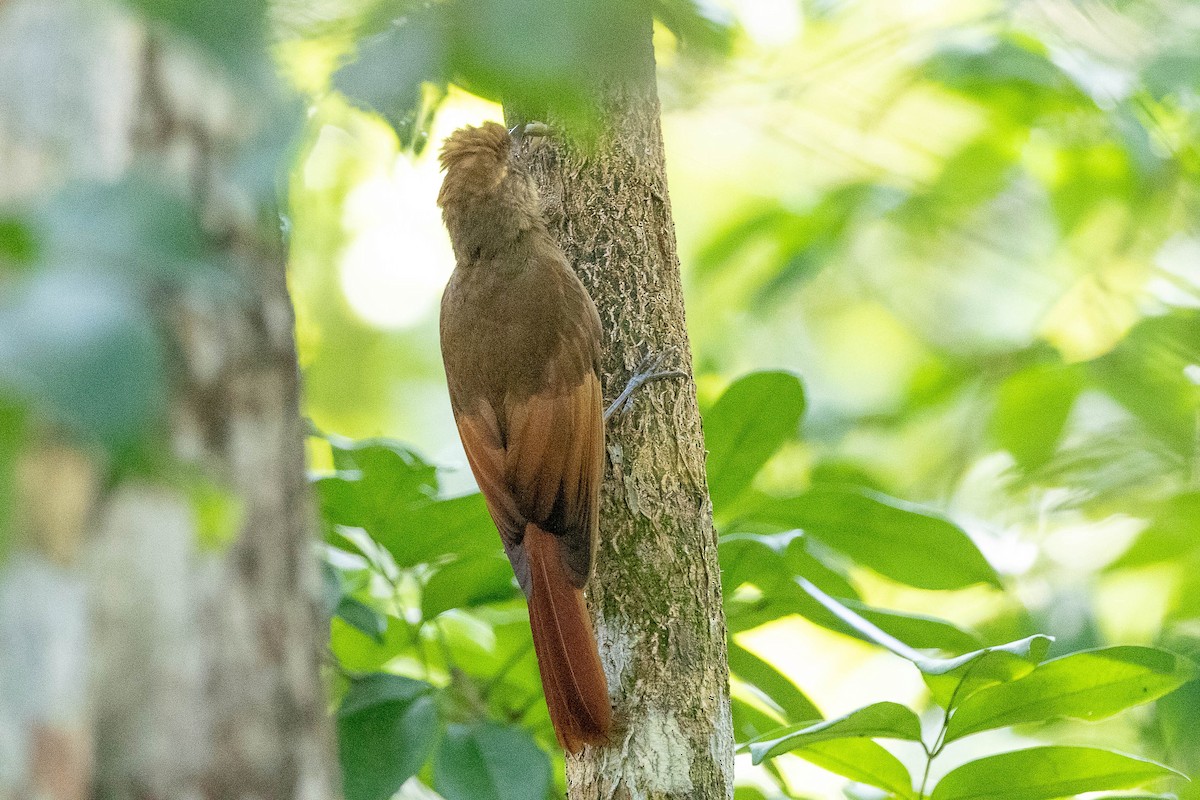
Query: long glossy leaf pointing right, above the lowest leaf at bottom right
x=1090 y=685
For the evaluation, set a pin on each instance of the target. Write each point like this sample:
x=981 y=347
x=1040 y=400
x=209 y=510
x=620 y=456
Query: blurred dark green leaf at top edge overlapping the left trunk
x=233 y=33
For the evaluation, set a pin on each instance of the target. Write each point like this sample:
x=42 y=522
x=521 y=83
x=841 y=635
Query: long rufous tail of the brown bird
x=572 y=676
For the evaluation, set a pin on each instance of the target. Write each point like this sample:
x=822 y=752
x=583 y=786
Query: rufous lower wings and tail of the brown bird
x=542 y=491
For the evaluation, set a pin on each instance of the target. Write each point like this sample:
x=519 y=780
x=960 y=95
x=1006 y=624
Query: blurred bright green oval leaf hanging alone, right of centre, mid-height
x=1031 y=411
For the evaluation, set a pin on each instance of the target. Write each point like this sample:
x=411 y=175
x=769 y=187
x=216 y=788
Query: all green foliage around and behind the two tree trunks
x=944 y=279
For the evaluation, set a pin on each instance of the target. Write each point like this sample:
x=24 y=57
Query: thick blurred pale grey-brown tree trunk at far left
x=135 y=660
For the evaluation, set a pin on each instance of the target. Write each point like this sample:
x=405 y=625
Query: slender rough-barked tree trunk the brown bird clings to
x=657 y=591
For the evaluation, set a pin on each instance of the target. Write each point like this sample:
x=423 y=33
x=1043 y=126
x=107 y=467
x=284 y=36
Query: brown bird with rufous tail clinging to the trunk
x=521 y=345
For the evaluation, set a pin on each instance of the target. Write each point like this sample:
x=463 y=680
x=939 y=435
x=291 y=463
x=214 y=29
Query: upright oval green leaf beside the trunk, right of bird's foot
x=747 y=426
